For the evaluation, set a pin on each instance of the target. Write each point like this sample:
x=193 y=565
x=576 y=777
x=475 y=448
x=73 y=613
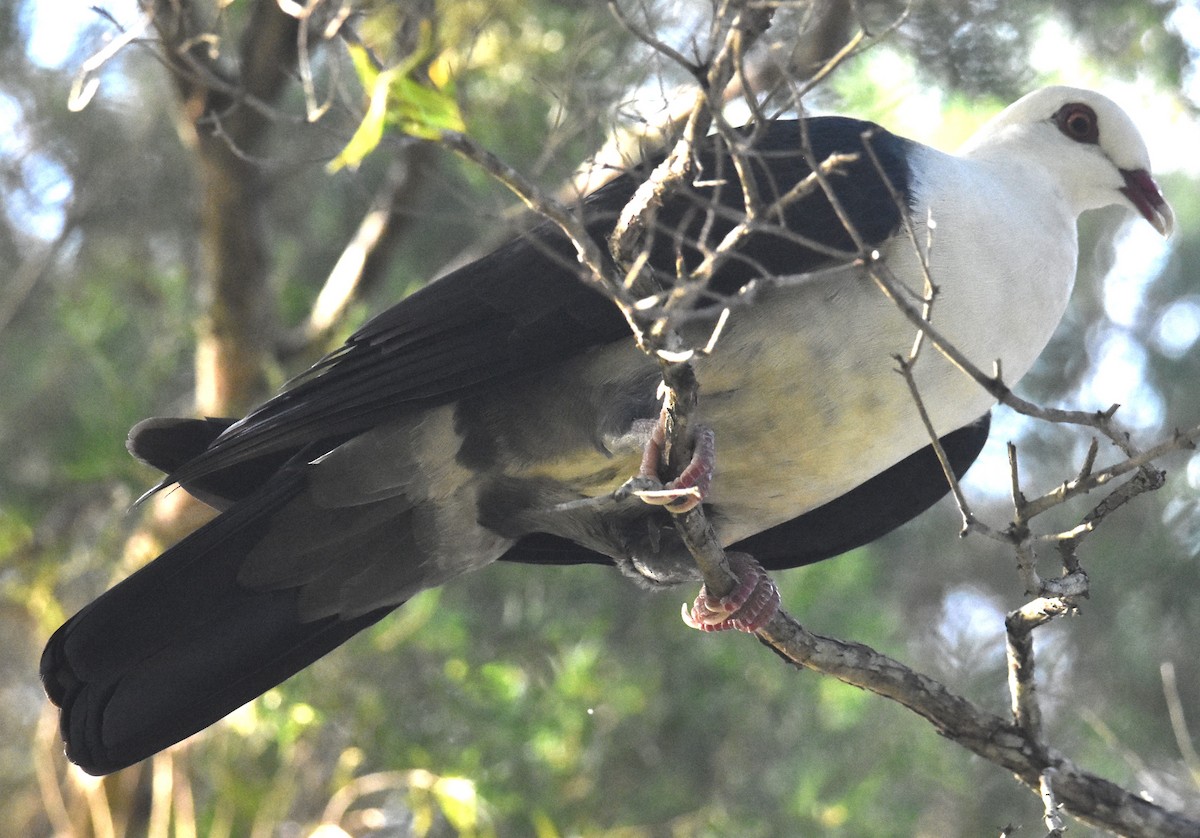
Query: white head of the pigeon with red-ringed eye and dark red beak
x=1085 y=142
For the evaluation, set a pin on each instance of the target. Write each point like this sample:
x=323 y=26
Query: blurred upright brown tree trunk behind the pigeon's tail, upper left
x=233 y=344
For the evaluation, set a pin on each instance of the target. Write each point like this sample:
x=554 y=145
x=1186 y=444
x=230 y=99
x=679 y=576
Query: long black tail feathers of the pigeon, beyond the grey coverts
x=181 y=644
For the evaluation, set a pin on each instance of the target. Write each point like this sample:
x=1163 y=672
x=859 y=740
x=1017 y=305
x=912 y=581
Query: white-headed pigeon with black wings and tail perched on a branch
x=495 y=414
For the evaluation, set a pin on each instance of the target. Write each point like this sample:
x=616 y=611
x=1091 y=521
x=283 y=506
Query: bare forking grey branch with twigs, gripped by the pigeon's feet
x=656 y=319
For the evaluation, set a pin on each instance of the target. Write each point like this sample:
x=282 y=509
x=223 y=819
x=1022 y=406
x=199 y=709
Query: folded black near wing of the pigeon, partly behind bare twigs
x=524 y=308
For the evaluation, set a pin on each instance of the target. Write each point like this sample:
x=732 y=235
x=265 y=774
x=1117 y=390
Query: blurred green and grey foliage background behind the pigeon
x=565 y=702
